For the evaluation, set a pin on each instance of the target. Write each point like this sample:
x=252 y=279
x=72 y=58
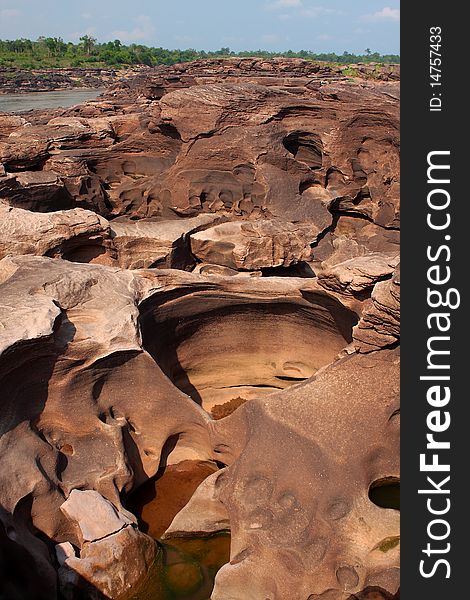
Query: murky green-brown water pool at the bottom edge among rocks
x=185 y=569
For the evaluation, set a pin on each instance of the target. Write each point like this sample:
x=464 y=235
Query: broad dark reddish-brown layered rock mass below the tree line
x=312 y=146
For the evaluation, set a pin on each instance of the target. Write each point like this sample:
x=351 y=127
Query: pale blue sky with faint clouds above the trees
x=316 y=25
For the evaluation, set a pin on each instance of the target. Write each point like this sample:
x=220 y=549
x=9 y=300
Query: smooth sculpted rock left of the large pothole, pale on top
x=74 y=423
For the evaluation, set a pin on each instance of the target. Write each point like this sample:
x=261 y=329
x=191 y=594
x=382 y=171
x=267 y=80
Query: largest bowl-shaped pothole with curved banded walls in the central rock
x=220 y=349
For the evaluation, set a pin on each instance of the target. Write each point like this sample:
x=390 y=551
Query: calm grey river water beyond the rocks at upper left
x=43 y=100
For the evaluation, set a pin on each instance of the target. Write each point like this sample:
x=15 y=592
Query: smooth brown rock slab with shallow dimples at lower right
x=301 y=525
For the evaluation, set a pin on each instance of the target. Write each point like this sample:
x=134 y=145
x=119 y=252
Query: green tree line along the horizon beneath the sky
x=53 y=52
